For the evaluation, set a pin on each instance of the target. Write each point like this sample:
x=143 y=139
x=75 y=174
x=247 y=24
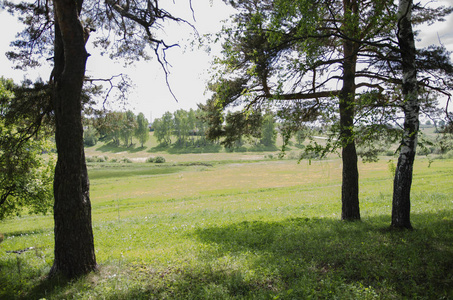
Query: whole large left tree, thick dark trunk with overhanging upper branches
x=55 y=29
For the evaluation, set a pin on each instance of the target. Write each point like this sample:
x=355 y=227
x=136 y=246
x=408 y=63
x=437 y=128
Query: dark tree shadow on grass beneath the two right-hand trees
x=416 y=263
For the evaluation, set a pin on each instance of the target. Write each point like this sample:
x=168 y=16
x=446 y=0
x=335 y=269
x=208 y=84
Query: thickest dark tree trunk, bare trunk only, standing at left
x=74 y=245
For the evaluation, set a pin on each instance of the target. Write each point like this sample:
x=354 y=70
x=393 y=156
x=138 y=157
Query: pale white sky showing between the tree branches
x=190 y=66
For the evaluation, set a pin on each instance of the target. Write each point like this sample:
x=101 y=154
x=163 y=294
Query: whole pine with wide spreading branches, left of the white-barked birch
x=284 y=46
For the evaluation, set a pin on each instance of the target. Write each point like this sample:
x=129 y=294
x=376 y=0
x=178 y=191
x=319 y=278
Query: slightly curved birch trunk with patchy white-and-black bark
x=411 y=107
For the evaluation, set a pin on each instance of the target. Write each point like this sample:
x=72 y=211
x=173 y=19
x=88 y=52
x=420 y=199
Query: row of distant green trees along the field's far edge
x=187 y=128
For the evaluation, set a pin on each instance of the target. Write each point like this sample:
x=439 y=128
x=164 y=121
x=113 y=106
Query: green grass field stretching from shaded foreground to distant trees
x=239 y=226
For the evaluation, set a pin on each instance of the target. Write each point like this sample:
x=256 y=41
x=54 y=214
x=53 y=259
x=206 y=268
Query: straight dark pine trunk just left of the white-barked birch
x=350 y=183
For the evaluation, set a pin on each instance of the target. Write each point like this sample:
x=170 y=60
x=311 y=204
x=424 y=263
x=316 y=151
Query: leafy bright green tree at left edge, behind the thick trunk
x=26 y=177
